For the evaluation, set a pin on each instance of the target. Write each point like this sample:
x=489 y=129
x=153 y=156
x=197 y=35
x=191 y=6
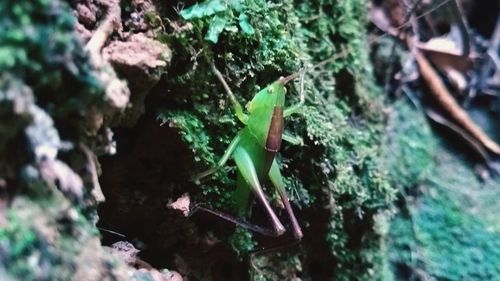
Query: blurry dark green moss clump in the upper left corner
x=58 y=70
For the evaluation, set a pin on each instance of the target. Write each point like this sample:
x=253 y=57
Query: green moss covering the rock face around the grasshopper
x=338 y=168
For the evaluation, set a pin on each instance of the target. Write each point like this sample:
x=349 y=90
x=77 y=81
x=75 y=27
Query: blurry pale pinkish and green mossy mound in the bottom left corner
x=47 y=241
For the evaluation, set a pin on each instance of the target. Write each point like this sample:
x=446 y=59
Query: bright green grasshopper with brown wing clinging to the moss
x=254 y=150
